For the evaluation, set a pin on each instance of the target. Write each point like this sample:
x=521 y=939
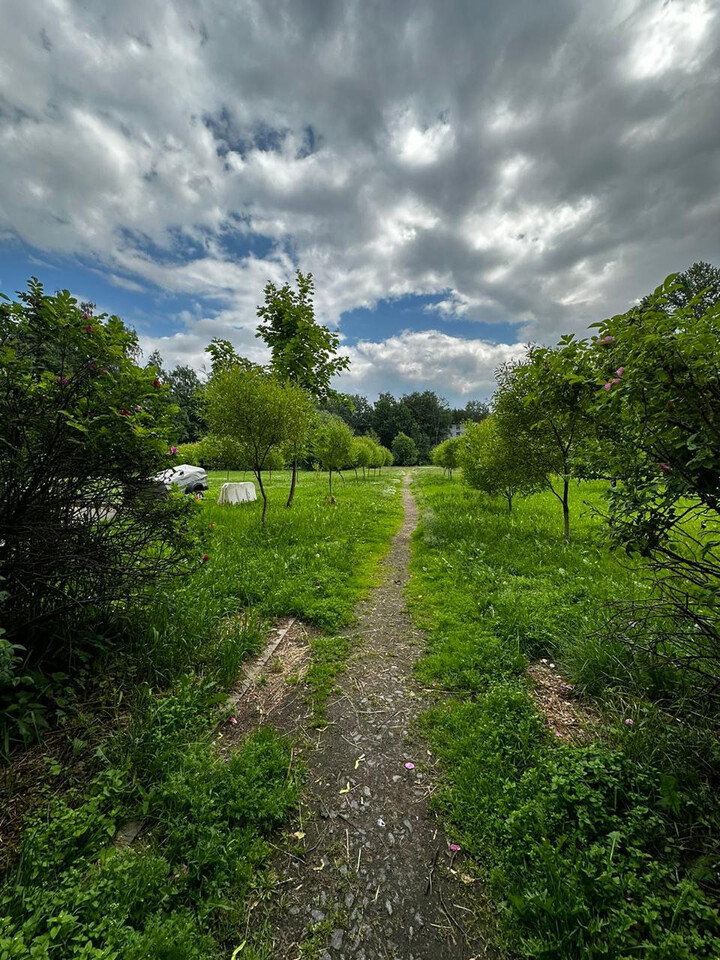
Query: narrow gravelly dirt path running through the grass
x=373 y=880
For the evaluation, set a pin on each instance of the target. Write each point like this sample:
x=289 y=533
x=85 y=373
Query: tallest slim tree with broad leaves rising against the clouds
x=303 y=351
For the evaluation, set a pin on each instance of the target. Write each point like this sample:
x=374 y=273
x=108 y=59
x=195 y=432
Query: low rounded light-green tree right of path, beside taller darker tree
x=491 y=462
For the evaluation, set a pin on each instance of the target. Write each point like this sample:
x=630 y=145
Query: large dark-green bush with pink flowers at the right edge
x=657 y=399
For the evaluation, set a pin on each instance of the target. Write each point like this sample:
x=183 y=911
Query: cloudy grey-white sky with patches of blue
x=461 y=178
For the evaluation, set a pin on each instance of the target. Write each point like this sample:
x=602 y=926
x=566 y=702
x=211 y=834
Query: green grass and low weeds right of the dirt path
x=605 y=850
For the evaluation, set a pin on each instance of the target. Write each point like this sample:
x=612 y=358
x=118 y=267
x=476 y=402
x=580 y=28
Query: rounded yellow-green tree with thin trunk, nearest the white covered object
x=262 y=414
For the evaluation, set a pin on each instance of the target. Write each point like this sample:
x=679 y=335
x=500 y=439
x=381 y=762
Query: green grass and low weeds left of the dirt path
x=145 y=748
